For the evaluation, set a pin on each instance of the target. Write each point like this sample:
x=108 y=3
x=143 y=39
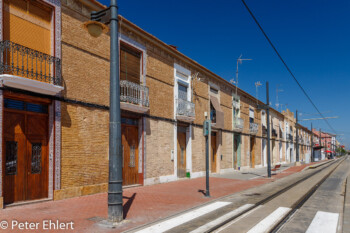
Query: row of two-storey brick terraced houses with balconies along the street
x=54 y=108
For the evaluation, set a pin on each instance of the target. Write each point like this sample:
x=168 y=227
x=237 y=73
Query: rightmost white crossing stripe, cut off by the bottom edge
x=324 y=222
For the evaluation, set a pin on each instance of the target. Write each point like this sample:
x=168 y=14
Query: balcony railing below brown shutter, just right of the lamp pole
x=134 y=93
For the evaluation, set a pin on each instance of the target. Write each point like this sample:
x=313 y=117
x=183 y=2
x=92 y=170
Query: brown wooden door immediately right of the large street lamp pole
x=130 y=154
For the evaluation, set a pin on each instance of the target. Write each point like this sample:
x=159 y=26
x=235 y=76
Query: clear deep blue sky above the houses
x=312 y=36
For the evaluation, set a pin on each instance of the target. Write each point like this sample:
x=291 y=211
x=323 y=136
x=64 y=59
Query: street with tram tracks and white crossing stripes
x=311 y=202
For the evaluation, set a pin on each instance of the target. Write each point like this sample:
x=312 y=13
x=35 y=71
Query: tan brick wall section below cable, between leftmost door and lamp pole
x=84 y=156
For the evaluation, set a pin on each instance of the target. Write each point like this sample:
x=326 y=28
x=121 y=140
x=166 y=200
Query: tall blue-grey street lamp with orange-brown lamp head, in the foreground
x=96 y=27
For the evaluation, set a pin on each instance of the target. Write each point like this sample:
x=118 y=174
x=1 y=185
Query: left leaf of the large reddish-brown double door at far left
x=14 y=152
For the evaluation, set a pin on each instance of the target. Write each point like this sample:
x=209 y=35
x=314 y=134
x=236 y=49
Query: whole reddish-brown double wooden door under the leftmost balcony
x=25 y=156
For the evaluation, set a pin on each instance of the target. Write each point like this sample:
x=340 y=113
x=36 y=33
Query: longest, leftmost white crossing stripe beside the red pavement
x=183 y=218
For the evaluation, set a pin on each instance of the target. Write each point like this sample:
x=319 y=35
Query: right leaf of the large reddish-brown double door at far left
x=37 y=157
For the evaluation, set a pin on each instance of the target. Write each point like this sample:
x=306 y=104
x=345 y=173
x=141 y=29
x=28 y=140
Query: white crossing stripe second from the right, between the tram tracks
x=270 y=221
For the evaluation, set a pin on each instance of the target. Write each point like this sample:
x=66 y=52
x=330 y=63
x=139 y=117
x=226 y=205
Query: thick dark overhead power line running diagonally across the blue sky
x=285 y=64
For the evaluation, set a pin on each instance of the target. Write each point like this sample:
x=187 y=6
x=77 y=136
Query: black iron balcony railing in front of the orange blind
x=21 y=61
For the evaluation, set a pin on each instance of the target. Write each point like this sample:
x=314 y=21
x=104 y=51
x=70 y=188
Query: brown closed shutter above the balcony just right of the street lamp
x=130 y=64
